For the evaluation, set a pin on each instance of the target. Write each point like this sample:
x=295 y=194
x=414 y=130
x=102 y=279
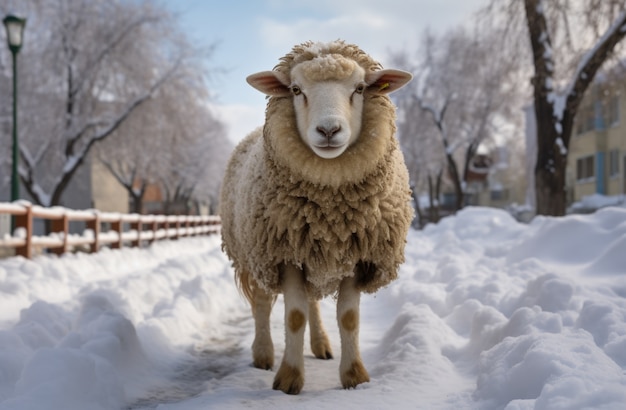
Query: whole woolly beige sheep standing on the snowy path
x=317 y=202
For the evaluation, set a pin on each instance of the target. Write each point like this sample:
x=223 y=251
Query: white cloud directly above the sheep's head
x=377 y=30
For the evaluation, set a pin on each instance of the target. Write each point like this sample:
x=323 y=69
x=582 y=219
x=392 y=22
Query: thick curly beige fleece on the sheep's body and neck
x=281 y=203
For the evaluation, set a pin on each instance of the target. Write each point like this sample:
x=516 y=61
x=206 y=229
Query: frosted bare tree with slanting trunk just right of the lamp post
x=102 y=61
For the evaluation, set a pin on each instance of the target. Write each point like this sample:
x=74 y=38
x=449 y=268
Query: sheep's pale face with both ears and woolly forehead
x=328 y=93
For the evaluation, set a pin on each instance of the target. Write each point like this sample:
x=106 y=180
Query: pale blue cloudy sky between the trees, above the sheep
x=251 y=36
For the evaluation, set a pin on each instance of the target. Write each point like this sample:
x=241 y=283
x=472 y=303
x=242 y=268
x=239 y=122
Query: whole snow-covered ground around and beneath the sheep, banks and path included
x=487 y=313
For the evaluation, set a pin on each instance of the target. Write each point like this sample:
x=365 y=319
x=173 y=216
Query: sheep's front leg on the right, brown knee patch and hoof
x=351 y=369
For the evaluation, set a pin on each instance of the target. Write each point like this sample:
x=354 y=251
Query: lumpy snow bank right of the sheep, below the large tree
x=537 y=312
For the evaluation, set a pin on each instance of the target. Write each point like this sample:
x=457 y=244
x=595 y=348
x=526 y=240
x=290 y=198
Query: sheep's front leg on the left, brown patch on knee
x=290 y=375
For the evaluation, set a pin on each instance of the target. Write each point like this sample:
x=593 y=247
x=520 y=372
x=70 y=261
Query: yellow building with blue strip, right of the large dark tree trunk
x=597 y=152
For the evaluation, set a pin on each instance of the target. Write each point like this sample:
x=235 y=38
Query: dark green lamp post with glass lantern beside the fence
x=15 y=28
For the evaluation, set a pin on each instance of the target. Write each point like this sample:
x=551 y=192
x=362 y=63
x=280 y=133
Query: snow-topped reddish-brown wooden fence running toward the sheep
x=101 y=228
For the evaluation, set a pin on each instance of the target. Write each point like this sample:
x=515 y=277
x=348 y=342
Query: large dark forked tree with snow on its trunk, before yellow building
x=569 y=41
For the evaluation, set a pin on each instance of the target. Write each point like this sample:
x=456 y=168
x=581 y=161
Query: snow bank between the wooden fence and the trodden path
x=98 y=331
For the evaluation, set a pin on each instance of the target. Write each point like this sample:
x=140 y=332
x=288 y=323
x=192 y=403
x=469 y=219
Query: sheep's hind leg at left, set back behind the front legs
x=262 y=347
